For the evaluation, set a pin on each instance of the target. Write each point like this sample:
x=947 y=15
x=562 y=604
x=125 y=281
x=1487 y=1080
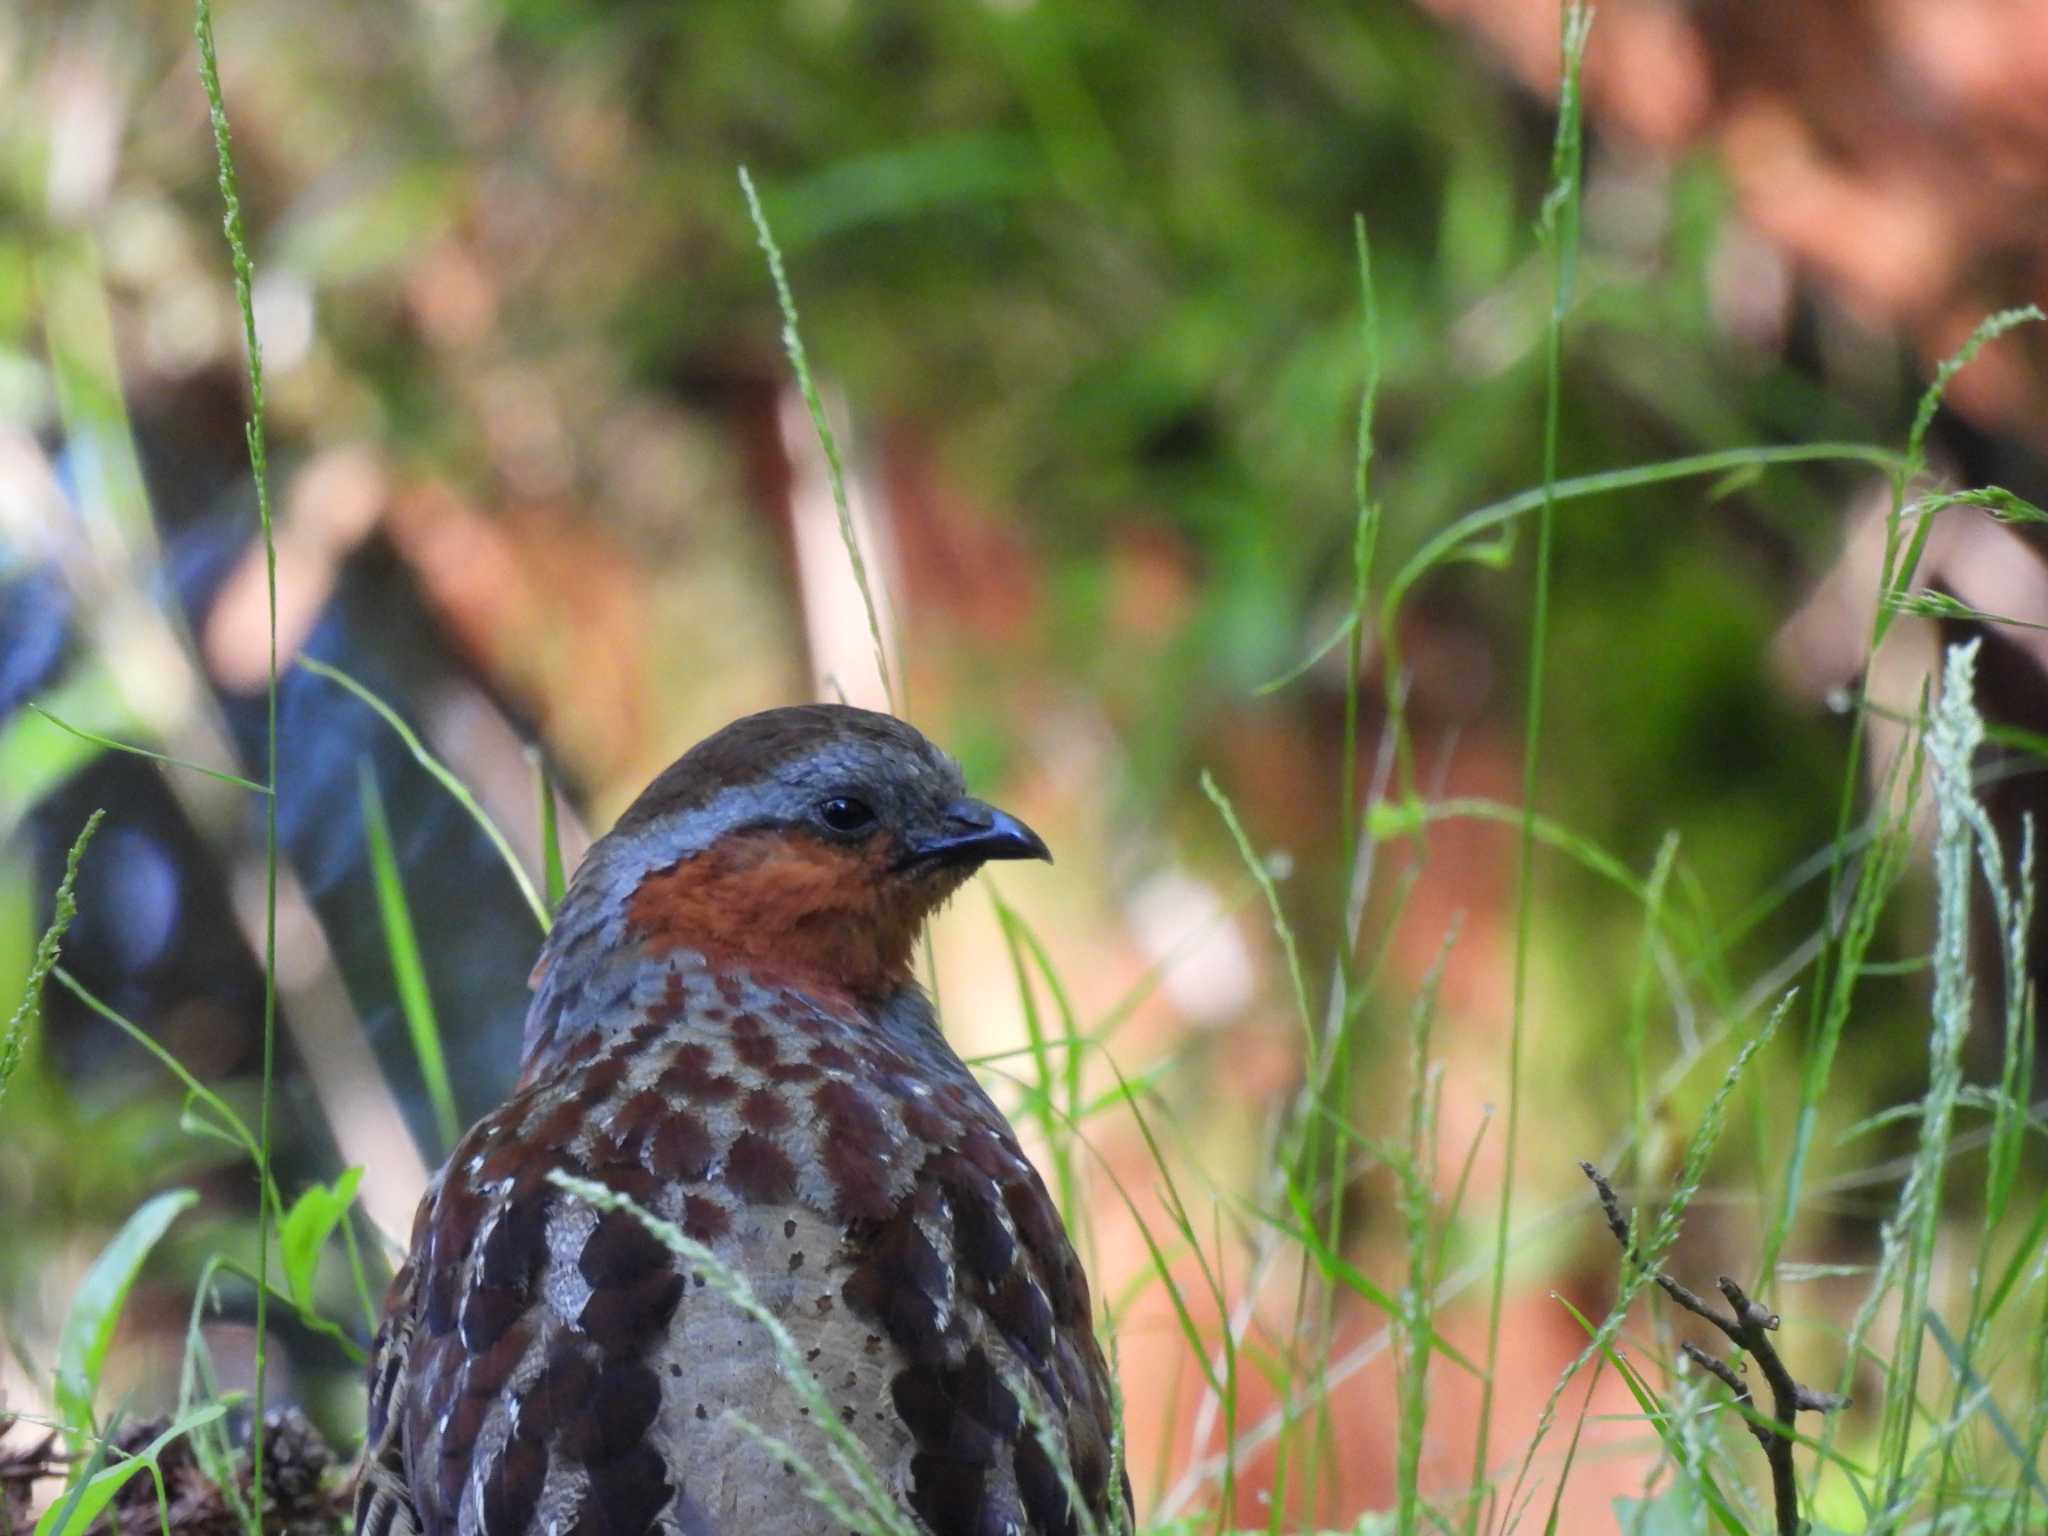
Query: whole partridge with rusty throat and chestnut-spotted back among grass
x=726 y=1031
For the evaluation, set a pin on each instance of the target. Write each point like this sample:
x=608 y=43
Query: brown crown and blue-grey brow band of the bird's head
x=808 y=767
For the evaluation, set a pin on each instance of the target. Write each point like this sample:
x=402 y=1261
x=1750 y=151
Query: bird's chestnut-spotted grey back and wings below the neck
x=548 y=1369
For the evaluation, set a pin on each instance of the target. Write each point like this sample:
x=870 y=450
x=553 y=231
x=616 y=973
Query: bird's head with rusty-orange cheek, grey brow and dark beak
x=804 y=843
